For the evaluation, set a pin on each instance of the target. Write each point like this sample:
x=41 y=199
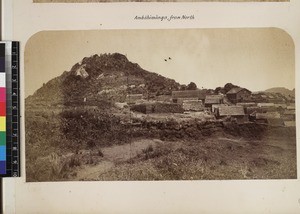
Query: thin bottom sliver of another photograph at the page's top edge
x=93 y=1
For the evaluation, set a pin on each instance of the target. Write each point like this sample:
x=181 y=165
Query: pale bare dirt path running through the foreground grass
x=112 y=156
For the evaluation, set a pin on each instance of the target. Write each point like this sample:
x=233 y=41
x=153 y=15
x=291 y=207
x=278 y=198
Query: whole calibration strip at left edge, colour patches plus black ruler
x=9 y=109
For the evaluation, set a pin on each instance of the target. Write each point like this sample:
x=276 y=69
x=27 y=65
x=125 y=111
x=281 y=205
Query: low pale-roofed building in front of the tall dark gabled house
x=233 y=112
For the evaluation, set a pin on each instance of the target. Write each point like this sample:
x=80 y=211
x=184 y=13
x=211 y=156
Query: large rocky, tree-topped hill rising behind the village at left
x=107 y=77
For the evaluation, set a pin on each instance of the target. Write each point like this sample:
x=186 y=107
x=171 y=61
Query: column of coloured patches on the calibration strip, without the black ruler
x=2 y=111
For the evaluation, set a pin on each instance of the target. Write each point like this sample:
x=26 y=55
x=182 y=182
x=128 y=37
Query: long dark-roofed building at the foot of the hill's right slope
x=180 y=96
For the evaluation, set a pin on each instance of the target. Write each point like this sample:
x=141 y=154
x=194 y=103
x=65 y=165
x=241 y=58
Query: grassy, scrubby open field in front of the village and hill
x=57 y=149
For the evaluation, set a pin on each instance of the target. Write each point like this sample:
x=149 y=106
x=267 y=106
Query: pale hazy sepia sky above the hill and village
x=257 y=59
